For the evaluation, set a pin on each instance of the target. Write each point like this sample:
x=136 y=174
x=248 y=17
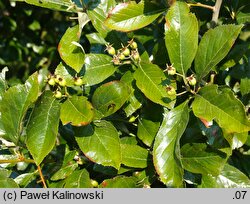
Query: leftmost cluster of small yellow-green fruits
x=59 y=82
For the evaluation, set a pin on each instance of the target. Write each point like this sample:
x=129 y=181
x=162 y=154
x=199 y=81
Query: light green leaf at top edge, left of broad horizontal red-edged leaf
x=97 y=15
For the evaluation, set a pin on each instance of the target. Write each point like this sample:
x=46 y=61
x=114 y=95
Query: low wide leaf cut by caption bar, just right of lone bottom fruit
x=119 y=182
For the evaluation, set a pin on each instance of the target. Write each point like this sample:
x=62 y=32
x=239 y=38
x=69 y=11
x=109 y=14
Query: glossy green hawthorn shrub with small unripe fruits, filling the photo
x=145 y=94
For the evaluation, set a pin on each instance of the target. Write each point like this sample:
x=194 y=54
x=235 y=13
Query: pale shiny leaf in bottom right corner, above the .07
x=230 y=177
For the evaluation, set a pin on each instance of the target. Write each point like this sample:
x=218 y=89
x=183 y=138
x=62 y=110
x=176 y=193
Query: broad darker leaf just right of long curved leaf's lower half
x=198 y=158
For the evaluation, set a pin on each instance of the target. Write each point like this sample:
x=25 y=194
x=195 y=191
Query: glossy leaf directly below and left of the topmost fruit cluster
x=97 y=65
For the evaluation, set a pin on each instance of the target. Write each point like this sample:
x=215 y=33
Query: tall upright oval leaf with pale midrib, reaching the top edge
x=181 y=36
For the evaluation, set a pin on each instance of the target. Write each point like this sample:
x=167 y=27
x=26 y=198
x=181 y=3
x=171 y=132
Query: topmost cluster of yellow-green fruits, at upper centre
x=130 y=51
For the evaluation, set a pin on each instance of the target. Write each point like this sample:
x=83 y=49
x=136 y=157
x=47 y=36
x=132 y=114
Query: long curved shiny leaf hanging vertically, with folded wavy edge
x=166 y=150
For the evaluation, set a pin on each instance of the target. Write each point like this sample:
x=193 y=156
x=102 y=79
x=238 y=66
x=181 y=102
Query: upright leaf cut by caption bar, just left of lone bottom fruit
x=78 y=179
